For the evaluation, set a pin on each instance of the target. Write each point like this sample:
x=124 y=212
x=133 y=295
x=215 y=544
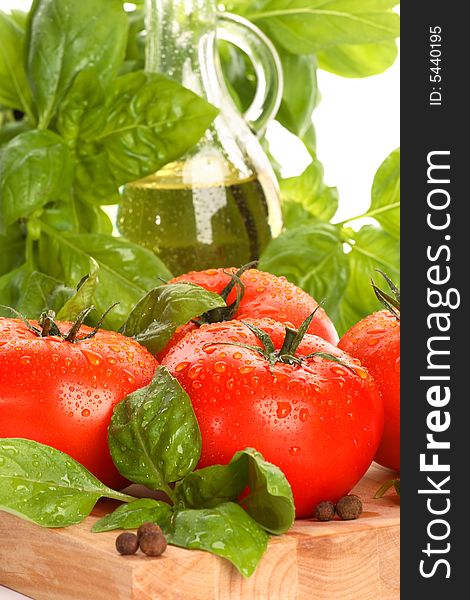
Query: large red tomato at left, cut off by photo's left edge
x=62 y=394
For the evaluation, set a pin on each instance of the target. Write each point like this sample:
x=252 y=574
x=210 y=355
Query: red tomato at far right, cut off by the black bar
x=375 y=341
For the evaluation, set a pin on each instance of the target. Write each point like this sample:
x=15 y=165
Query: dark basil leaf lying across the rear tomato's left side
x=157 y=315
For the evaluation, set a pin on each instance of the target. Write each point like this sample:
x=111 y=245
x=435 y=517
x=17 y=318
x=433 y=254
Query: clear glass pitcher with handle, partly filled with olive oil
x=218 y=206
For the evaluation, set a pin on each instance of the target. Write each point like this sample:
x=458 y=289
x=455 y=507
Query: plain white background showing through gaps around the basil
x=357 y=126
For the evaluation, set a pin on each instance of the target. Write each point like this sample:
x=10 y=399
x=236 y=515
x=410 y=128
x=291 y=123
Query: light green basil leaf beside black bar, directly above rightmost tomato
x=373 y=248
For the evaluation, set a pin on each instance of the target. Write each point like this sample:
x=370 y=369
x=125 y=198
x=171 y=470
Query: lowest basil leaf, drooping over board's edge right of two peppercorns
x=226 y=530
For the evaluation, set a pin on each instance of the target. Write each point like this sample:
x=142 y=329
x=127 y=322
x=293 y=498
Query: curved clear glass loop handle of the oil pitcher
x=267 y=65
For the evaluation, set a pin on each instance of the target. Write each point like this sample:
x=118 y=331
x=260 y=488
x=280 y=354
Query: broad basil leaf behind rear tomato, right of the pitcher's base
x=311 y=256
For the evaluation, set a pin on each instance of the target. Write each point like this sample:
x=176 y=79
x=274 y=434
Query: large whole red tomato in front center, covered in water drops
x=319 y=421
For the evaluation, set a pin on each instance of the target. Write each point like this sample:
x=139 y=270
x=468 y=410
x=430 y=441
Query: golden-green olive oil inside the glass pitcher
x=197 y=226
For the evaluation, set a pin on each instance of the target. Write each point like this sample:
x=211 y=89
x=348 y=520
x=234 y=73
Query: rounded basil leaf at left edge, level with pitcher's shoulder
x=35 y=168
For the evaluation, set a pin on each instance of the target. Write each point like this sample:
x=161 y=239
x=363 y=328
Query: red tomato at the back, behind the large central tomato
x=266 y=295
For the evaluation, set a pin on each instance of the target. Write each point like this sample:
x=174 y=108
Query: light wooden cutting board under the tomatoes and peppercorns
x=338 y=560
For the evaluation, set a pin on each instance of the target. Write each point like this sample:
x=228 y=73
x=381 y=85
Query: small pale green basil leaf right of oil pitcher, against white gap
x=310 y=191
